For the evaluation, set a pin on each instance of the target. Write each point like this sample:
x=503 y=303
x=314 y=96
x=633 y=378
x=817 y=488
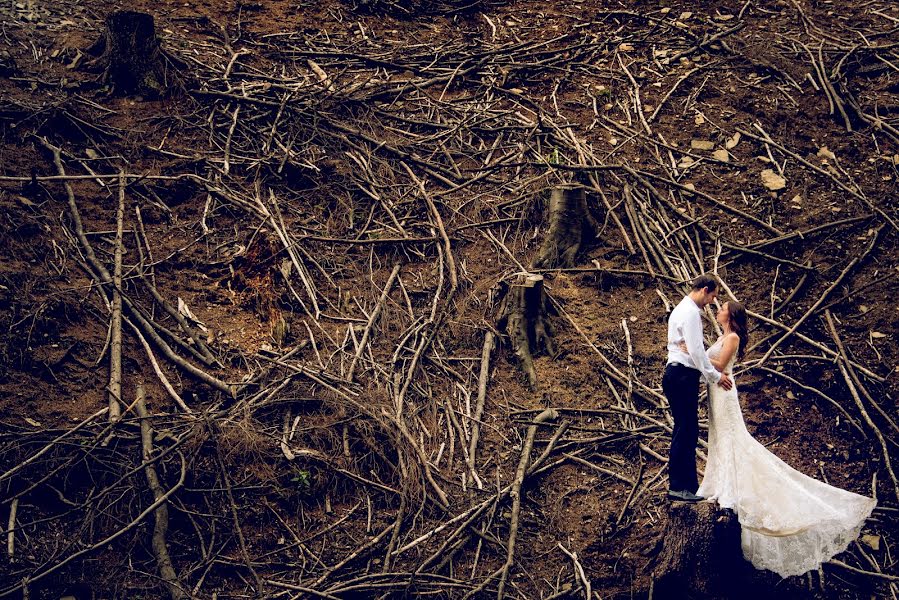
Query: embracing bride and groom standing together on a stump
x=790 y=523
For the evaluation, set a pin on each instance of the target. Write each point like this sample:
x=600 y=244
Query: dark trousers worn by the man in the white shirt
x=681 y=387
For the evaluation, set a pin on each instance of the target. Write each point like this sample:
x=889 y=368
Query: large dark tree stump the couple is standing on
x=701 y=555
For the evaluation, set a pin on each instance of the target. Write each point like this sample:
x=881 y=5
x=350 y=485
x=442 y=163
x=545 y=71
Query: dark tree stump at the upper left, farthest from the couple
x=131 y=57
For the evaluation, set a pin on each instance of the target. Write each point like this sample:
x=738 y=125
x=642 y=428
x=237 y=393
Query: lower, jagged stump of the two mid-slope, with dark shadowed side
x=525 y=316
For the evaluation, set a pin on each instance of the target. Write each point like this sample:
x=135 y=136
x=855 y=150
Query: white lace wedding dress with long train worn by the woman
x=790 y=523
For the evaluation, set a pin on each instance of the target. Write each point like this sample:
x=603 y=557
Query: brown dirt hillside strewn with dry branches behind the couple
x=303 y=150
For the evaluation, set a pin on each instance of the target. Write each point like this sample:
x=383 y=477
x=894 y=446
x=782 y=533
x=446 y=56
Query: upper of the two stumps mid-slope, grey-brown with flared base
x=569 y=221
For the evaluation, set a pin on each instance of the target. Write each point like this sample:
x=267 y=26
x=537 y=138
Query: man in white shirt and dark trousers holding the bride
x=681 y=385
